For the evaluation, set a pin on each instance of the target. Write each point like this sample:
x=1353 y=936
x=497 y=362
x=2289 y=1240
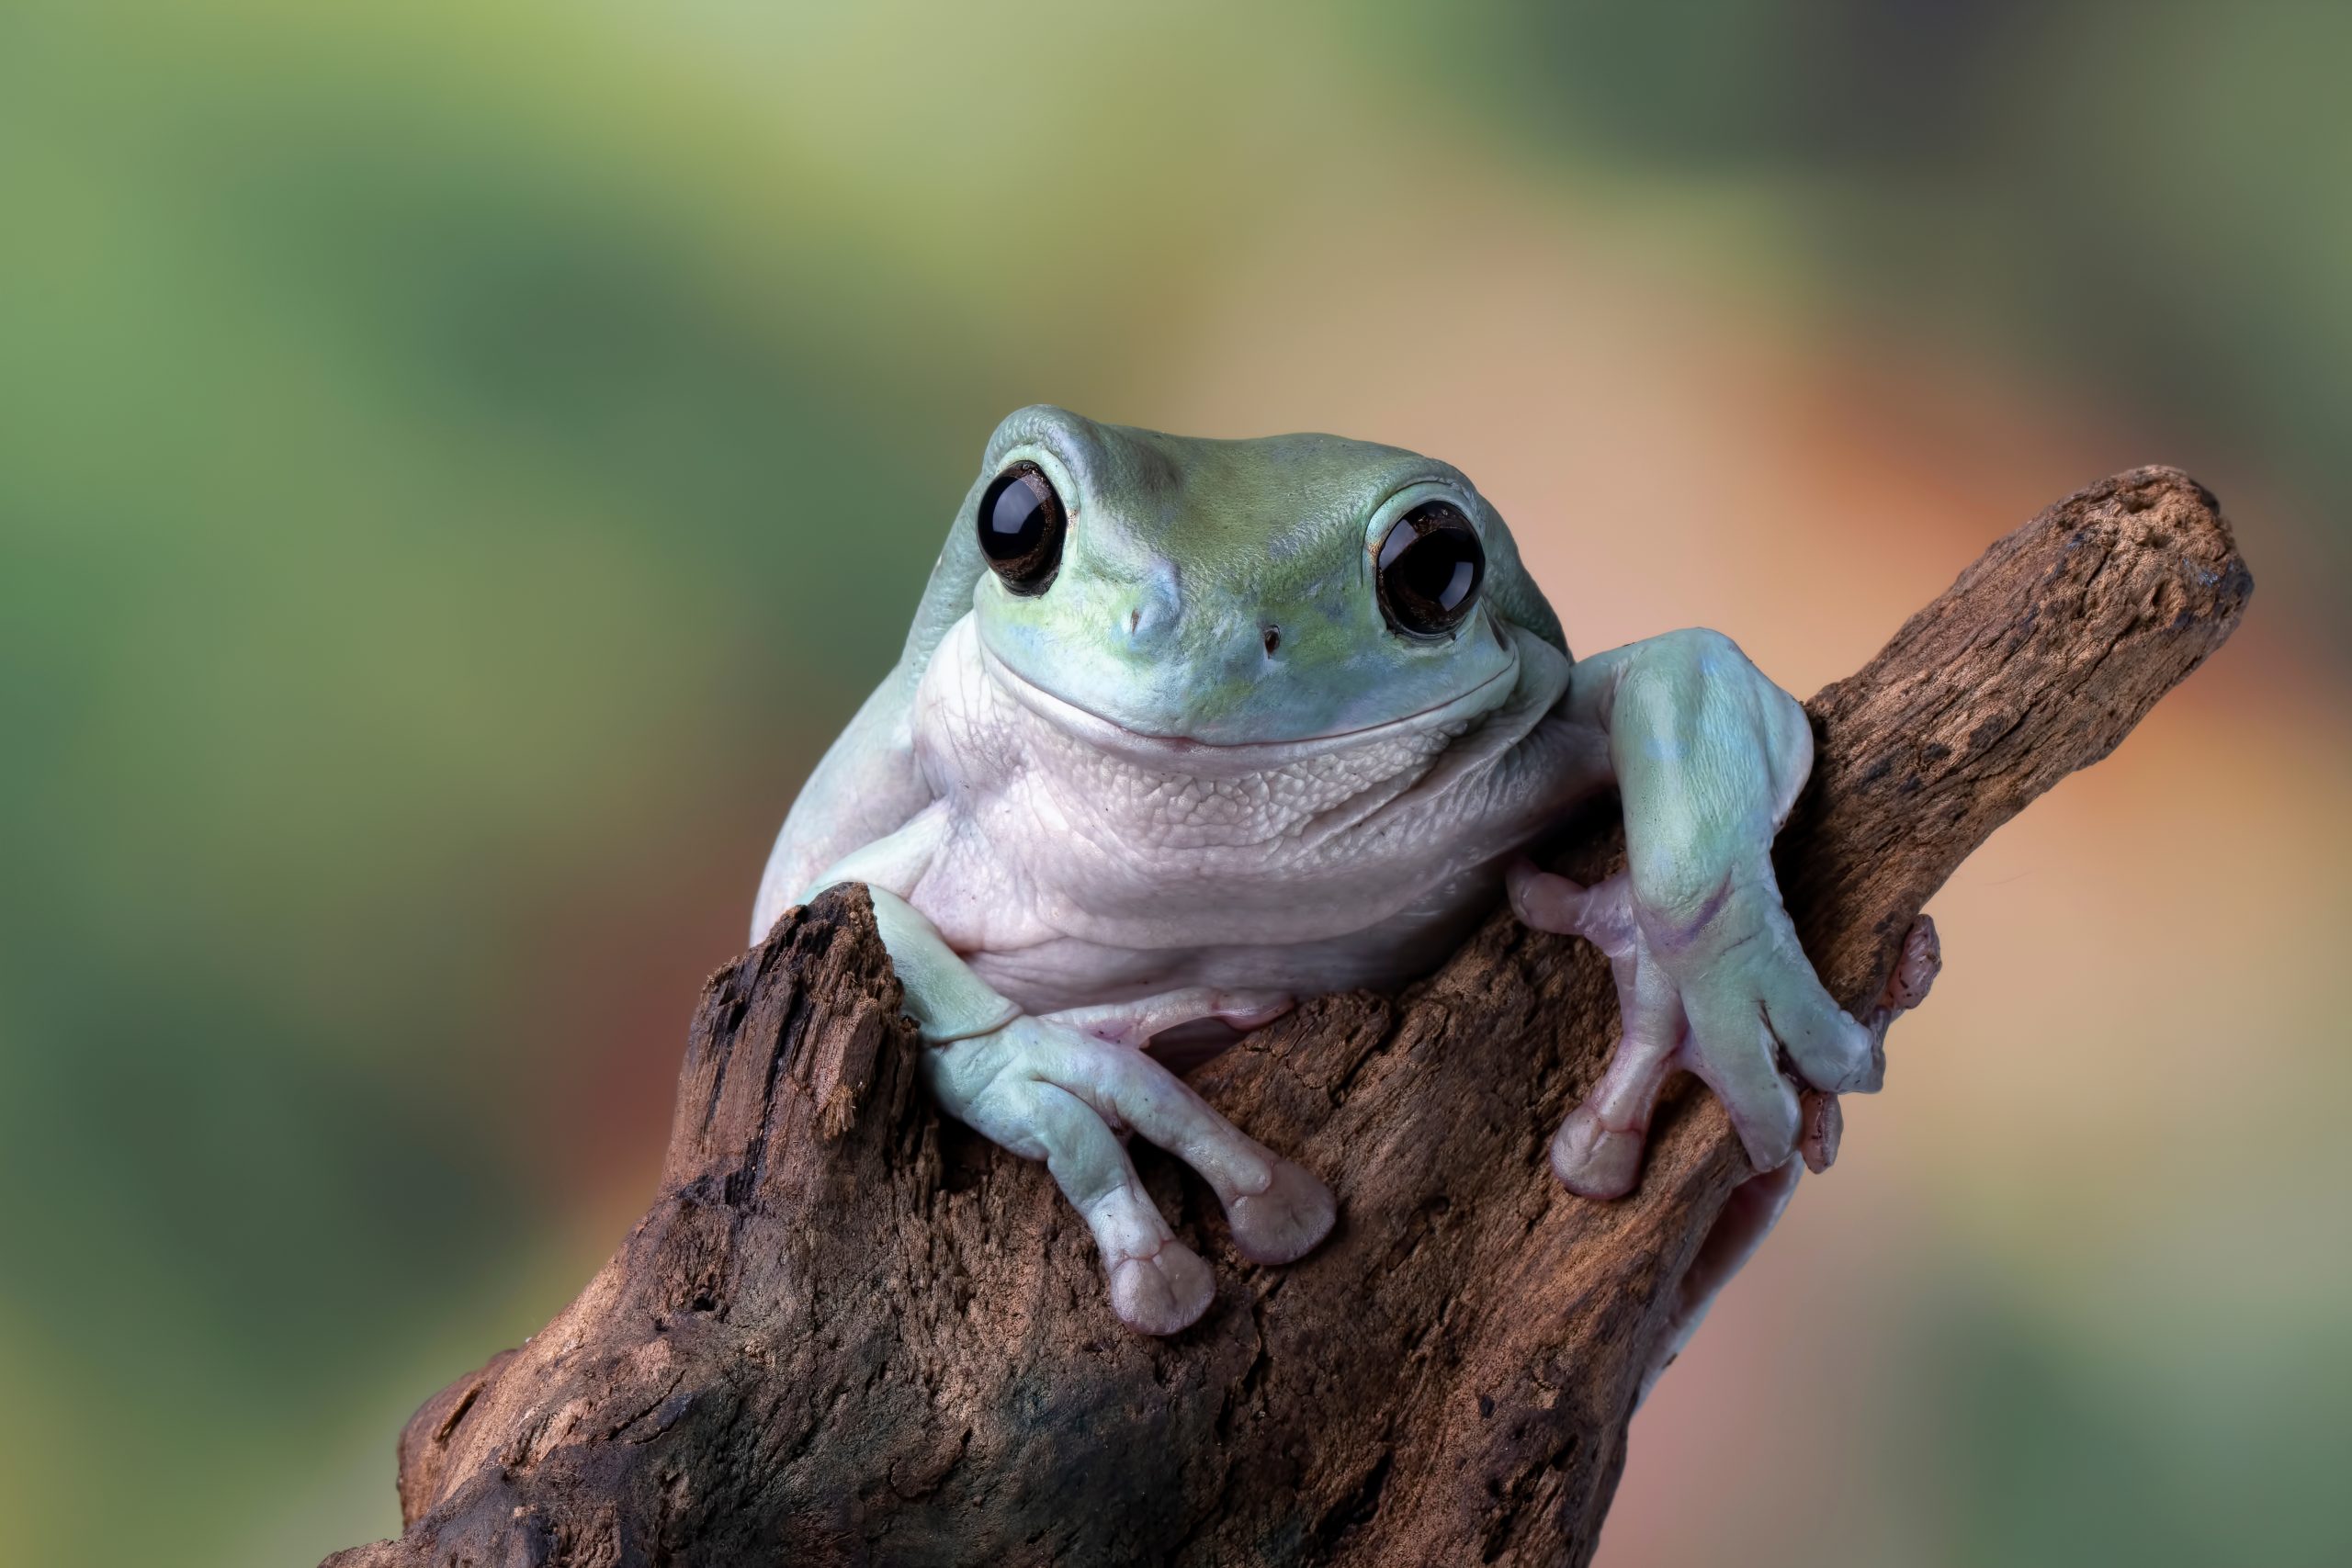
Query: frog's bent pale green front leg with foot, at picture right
x=1709 y=760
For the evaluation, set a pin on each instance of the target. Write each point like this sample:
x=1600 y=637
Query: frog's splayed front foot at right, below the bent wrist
x=1735 y=1021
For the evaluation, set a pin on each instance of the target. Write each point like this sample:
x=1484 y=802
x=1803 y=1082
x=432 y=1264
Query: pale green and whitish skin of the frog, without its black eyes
x=1203 y=772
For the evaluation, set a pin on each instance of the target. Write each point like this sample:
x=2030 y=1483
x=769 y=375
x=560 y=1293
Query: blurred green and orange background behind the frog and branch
x=460 y=464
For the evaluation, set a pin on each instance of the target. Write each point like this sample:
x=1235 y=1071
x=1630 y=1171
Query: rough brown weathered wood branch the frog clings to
x=853 y=1334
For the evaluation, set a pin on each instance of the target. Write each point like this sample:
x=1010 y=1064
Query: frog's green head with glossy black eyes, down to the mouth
x=1187 y=598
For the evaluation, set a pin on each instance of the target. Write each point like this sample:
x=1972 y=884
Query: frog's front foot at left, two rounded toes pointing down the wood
x=1048 y=1092
